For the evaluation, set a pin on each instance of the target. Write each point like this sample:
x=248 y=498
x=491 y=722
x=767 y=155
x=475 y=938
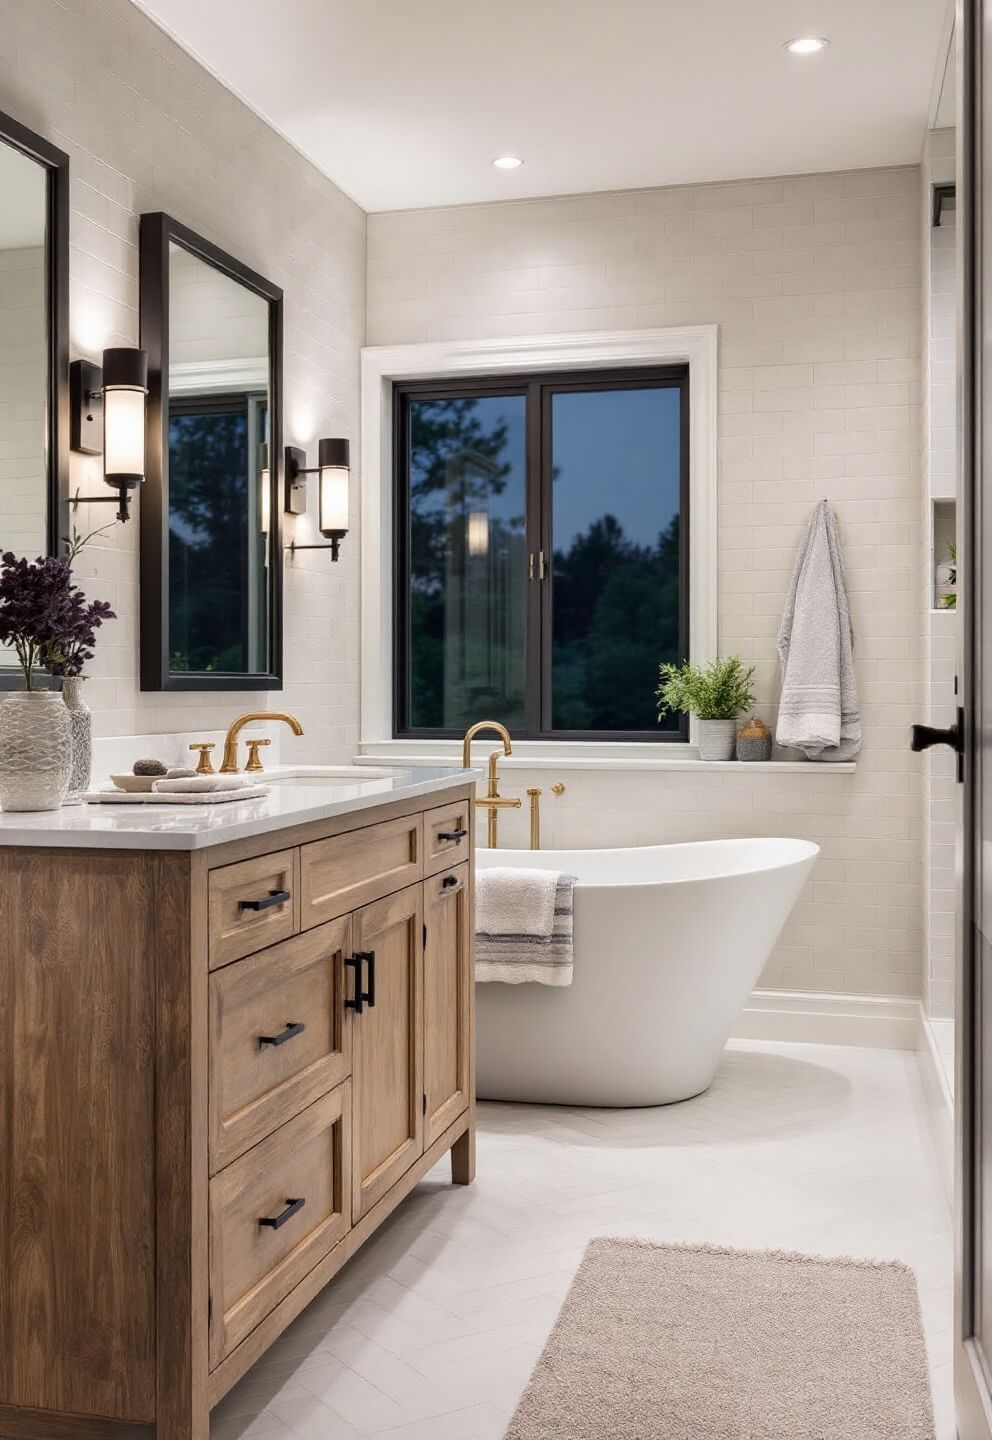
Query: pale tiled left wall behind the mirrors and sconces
x=148 y=129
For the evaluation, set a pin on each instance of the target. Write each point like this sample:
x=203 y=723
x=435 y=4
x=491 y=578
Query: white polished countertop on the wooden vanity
x=297 y=797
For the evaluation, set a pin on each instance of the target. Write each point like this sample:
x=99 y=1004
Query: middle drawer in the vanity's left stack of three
x=280 y=1038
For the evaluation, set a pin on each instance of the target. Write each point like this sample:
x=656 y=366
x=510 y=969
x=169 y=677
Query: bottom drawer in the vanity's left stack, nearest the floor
x=263 y=1239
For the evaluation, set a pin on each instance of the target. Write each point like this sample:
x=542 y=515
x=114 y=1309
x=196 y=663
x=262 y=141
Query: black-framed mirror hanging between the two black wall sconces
x=211 y=518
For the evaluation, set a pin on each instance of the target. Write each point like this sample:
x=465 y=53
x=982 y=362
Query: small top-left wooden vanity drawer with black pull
x=253 y=905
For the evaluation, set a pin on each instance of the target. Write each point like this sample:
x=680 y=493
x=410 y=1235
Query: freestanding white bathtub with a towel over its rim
x=669 y=945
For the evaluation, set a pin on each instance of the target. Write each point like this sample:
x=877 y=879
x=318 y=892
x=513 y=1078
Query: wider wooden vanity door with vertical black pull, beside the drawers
x=388 y=1045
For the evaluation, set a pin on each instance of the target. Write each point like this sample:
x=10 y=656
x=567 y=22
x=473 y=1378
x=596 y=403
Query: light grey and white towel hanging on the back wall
x=819 y=709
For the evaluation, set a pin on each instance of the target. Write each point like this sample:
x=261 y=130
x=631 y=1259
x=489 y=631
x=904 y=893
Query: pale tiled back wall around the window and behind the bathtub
x=816 y=286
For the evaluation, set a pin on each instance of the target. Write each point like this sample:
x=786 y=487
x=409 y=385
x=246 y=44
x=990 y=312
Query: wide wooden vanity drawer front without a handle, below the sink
x=352 y=870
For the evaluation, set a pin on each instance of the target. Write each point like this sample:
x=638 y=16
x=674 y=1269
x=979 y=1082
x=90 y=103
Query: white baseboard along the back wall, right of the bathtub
x=882 y=1022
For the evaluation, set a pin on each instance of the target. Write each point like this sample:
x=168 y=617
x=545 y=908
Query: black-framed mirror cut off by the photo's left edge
x=34 y=351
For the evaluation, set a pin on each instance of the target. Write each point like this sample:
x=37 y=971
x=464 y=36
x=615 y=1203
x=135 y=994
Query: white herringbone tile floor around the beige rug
x=433 y=1331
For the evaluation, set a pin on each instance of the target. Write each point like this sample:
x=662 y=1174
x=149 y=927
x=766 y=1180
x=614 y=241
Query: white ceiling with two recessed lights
x=407 y=104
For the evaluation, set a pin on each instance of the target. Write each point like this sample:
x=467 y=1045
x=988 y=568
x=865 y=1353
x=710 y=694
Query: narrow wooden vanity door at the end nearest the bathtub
x=447 y=999
